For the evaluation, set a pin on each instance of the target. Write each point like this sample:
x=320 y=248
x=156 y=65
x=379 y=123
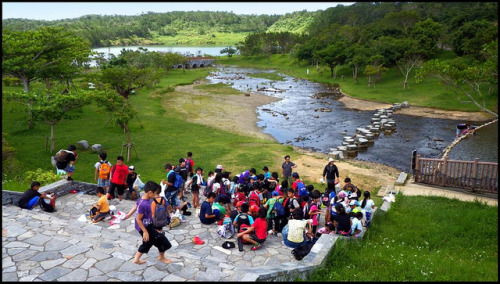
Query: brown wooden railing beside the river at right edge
x=471 y=175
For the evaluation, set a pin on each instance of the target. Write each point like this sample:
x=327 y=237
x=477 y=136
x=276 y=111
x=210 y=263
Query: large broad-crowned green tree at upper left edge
x=45 y=54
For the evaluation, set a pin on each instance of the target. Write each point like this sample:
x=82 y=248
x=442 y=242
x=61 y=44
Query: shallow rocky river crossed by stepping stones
x=429 y=136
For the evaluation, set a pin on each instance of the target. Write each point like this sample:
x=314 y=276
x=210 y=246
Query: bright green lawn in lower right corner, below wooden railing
x=420 y=239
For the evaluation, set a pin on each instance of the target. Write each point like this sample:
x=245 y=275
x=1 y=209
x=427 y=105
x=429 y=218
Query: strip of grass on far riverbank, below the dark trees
x=426 y=94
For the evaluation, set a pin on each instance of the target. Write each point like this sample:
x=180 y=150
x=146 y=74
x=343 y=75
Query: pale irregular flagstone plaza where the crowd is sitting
x=41 y=246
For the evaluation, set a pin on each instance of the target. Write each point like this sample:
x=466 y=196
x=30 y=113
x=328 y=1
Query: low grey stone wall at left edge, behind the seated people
x=60 y=188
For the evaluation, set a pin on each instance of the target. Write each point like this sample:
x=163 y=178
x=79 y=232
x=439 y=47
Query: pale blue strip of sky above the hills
x=63 y=10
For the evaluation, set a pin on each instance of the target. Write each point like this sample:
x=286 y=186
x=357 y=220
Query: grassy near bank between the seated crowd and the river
x=166 y=137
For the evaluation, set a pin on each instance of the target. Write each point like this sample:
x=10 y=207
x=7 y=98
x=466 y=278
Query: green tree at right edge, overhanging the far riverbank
x=474 y=80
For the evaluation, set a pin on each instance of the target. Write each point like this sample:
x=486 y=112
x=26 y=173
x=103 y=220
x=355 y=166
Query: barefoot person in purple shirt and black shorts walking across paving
x=144 y=225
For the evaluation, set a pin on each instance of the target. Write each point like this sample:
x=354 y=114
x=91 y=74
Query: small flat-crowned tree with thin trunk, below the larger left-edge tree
x=51 y=106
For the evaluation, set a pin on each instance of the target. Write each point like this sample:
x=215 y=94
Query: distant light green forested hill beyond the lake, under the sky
x=181 y=28
